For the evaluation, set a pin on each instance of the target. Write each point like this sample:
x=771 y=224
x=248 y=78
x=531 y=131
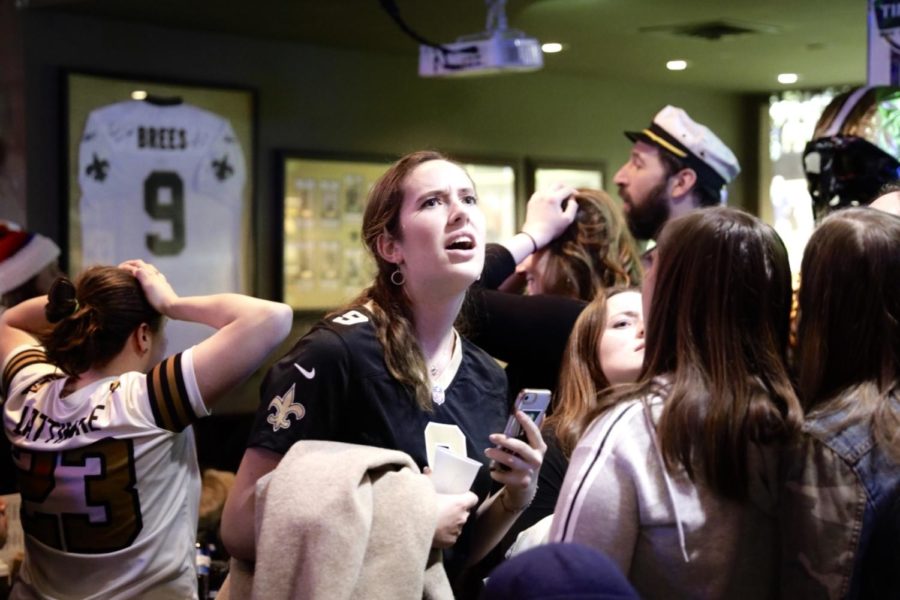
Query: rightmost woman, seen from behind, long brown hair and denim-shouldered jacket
x=841 y=515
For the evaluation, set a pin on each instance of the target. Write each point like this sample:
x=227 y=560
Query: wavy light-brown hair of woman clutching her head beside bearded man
x=596 y=251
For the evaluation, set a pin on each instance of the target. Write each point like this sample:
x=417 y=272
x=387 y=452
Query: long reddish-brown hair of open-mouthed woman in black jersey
x=391 y=308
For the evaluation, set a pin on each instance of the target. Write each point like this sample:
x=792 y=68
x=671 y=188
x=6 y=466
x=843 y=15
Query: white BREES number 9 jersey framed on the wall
x=164 y=184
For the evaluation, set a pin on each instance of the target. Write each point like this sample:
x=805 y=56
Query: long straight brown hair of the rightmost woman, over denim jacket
x=848 y=357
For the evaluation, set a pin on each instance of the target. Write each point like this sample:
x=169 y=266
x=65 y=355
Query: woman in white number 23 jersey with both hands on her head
x=99 y=420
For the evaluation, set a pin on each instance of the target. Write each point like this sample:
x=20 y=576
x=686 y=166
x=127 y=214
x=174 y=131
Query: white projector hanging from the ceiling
x=495 y=50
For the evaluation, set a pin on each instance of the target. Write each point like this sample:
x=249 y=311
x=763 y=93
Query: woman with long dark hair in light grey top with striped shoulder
x=674 y=476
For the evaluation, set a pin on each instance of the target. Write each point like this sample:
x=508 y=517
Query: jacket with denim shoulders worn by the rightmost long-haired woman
x=840 y=511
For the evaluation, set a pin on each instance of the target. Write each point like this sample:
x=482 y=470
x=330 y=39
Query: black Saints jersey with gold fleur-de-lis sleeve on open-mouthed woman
x=334 y=385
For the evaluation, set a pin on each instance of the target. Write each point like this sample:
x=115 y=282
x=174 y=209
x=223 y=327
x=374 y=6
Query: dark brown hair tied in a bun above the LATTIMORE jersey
x=93 y=318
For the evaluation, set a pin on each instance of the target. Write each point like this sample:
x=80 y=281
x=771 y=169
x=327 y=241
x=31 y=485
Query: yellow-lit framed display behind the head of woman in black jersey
x=324 y=262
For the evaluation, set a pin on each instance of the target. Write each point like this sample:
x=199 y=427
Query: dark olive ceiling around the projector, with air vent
x=823 y=41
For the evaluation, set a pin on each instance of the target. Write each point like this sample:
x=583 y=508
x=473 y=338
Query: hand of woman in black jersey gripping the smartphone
x=523 y=459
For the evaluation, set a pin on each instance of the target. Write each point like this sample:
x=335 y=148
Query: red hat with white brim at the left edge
x=22 y=255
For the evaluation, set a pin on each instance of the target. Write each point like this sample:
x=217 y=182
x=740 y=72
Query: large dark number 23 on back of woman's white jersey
x=112 y=490
